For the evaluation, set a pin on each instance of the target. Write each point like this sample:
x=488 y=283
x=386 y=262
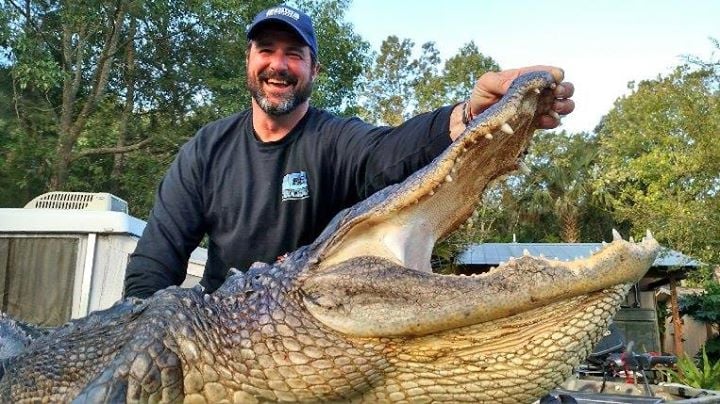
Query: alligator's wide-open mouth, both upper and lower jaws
x=372 y=274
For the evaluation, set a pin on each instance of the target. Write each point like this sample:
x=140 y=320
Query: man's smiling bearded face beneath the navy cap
x=280 y=72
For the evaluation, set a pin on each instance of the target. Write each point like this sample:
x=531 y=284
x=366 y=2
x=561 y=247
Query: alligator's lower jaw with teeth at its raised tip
x=371 y=297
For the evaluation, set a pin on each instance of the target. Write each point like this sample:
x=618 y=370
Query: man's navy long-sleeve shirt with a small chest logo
x=258 y=200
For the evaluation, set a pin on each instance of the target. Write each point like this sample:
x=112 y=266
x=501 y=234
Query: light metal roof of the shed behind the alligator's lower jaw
x=495 y=253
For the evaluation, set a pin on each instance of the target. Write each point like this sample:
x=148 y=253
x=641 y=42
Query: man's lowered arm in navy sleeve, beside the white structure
x=174 y=229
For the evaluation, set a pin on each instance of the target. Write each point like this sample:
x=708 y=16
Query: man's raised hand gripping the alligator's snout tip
x=491 y=86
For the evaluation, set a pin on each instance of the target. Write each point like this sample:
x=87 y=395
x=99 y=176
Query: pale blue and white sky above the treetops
x=601 y=45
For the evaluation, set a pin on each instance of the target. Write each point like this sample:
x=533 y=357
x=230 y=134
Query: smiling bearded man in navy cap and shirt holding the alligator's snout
x=267 y=180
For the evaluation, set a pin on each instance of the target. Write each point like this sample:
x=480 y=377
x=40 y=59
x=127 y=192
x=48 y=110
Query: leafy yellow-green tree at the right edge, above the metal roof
x=660 y=160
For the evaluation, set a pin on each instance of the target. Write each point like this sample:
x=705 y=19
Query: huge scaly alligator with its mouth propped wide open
x=358 y=315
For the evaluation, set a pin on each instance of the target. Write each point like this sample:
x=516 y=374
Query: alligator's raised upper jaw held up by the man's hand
x=401 y=223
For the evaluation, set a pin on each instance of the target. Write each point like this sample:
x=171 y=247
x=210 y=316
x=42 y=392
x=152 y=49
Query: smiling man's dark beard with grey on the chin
x=289 y=102
